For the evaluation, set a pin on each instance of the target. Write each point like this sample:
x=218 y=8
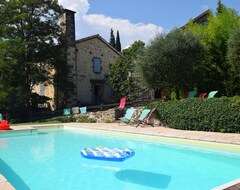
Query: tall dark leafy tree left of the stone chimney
x=29 y=32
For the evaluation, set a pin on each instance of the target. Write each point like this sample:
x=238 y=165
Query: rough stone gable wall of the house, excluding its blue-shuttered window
x=92 y=87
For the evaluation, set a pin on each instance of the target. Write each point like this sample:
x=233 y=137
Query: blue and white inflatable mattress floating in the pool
x=104 y=153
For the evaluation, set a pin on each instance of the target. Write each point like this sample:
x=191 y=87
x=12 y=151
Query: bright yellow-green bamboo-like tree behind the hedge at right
x=214 y=36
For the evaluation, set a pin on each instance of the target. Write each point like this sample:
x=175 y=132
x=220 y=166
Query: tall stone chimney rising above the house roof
x=68 y=26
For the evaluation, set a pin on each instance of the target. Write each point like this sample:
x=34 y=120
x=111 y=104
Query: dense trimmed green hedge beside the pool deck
x=216 y=114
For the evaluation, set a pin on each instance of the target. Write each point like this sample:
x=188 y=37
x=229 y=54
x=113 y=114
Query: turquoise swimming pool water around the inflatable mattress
x=51 y=160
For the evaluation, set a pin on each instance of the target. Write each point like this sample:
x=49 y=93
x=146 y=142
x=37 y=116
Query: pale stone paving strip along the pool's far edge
x=229 y=138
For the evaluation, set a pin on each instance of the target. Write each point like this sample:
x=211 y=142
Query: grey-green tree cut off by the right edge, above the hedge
x=233 y=56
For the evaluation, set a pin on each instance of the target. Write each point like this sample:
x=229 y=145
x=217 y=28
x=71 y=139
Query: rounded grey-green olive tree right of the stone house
x=169 y=62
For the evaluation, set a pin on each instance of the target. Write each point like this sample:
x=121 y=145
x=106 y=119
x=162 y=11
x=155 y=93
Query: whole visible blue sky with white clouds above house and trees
x=136 y=19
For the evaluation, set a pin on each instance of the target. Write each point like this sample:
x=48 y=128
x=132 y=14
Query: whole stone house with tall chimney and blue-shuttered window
x=89 y=60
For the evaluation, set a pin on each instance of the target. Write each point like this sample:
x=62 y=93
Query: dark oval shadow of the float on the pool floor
x=148 y=179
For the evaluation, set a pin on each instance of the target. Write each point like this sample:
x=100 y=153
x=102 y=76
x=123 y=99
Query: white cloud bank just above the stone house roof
x=90 y=24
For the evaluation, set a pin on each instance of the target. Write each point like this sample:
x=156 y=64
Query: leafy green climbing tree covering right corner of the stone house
x=120 y=70
